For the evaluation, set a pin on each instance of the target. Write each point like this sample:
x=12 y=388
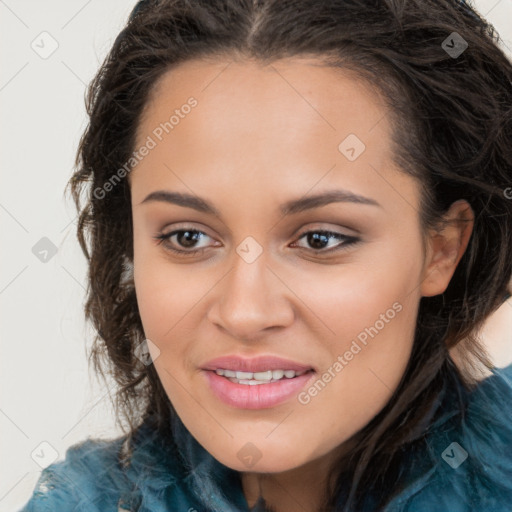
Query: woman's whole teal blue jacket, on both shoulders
x=463 y=464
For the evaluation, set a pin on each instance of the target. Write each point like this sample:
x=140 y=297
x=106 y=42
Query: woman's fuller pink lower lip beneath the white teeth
x=259 y=396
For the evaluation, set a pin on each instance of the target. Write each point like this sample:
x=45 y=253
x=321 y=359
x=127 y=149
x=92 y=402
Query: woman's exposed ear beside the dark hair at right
x=446 y=245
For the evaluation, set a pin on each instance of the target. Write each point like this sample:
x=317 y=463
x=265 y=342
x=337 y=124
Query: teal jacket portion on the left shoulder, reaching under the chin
x=147 y=472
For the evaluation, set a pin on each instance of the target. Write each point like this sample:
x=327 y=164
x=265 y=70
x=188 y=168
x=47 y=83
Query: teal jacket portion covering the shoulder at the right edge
x=471 y=456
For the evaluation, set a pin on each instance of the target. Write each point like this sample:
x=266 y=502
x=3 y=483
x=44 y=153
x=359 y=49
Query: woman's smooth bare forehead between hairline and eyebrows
x=285 y=124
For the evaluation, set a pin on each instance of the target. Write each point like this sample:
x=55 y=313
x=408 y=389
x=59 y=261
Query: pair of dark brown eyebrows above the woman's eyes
x=288 y=208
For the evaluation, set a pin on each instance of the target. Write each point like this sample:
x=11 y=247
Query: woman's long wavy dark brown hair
x=452 y=131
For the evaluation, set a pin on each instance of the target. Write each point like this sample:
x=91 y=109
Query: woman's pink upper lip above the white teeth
x=255 y=364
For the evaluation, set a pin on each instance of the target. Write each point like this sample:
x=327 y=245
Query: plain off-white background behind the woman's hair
x=47 y=393
